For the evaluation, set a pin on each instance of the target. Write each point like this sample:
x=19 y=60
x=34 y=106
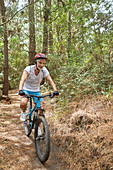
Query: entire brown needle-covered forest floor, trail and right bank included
x=82 y=140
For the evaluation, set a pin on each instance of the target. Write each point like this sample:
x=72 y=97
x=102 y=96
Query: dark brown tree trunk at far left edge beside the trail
x=5 y=81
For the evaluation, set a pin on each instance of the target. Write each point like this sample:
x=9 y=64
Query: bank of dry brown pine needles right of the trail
x=85 y=135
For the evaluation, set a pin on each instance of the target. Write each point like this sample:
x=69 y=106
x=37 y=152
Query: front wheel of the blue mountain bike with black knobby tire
x=42 y=144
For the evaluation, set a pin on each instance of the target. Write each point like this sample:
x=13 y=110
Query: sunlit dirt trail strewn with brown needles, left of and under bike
x=17 y=151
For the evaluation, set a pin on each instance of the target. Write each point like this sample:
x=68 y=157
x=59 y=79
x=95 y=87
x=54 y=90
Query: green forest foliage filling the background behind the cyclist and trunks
x=88 y=70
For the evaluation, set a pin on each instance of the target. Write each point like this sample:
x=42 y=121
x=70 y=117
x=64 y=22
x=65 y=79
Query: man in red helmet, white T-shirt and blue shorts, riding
x=30 y=82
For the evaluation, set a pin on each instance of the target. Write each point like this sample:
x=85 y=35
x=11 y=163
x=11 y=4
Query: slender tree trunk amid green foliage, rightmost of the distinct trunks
x=69 y=34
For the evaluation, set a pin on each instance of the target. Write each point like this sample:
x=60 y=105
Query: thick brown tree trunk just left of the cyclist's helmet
x=32 y=43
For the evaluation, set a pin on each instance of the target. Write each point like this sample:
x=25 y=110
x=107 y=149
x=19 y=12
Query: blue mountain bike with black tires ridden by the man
x=35 y=119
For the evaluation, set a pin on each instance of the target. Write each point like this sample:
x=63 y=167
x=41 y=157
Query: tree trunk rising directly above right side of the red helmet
x=45 y=29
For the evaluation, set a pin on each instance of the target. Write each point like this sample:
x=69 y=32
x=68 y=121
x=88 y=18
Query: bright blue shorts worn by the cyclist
x=35 y=99
